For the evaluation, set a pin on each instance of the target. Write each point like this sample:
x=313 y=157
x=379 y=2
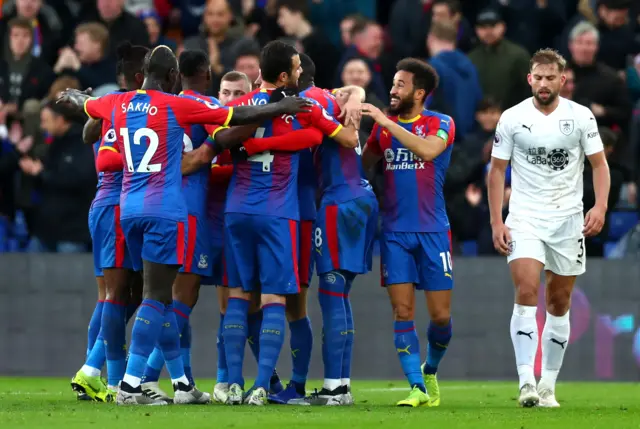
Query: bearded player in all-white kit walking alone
x=546 y=138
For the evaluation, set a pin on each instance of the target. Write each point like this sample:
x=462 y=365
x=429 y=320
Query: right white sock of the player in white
x=555 y=339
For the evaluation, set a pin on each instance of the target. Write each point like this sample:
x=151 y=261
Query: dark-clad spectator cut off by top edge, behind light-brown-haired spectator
x=122 y=25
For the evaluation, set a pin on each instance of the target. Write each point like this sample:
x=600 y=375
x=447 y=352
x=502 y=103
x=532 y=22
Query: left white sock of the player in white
x=524 y=335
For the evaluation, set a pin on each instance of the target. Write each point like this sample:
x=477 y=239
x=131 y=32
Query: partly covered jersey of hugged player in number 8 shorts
x=339 y=169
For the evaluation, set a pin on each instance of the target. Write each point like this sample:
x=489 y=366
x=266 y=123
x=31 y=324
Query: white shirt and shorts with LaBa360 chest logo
x=547 y=155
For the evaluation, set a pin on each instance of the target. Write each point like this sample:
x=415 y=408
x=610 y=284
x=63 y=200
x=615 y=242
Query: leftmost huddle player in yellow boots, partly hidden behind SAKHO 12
x=111 y=257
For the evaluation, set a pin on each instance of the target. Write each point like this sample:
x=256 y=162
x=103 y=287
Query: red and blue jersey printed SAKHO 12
x=150 y=127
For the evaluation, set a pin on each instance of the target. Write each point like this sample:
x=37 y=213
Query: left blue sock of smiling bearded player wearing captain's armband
x=408 y=348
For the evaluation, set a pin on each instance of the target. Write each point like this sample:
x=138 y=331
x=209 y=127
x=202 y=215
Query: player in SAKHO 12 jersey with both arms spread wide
x=151 y=125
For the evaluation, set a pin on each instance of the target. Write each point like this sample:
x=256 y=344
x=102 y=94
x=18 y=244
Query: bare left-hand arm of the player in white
x=495 y=187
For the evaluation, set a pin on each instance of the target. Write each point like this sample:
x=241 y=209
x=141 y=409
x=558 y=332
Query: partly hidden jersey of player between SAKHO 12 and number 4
x=195 y=185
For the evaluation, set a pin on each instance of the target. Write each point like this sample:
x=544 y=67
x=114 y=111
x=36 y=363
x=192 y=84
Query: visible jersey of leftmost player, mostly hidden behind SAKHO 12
x=109 y=183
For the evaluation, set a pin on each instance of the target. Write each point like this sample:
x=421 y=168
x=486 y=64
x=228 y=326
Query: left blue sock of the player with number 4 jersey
x=235 y=337
